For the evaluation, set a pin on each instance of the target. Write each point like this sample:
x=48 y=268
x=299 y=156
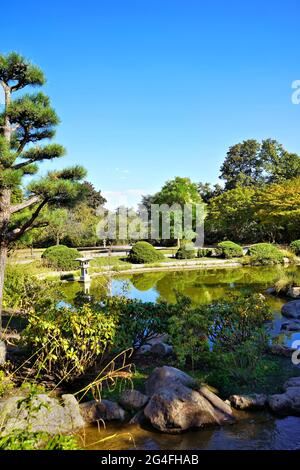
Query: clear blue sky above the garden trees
x=150 y=89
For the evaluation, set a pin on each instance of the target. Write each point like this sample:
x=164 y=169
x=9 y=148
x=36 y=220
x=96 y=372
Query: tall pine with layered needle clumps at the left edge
x=24 y=123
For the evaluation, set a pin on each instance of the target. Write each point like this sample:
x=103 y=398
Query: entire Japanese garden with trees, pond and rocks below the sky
x=138 y=339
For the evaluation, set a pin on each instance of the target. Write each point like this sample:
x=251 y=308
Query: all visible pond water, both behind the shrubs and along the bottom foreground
x=259 y=430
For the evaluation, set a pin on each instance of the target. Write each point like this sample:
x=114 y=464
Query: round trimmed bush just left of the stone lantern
x=61 y=257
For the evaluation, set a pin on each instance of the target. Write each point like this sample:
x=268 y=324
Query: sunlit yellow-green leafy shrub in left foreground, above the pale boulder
x=68 y=341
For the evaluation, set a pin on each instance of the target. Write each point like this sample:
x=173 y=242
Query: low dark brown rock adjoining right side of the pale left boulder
x=104 y=410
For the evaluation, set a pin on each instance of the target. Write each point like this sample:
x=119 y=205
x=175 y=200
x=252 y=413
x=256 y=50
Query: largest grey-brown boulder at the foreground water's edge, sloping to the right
x=177 y=404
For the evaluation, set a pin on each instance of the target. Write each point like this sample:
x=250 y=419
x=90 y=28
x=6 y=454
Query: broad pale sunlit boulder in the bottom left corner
x=42 y=414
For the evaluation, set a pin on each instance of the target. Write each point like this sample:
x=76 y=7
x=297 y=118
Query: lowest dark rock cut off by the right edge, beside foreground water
x=287 y=403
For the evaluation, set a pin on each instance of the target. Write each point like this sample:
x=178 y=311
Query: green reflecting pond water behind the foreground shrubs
x=201 y=286
